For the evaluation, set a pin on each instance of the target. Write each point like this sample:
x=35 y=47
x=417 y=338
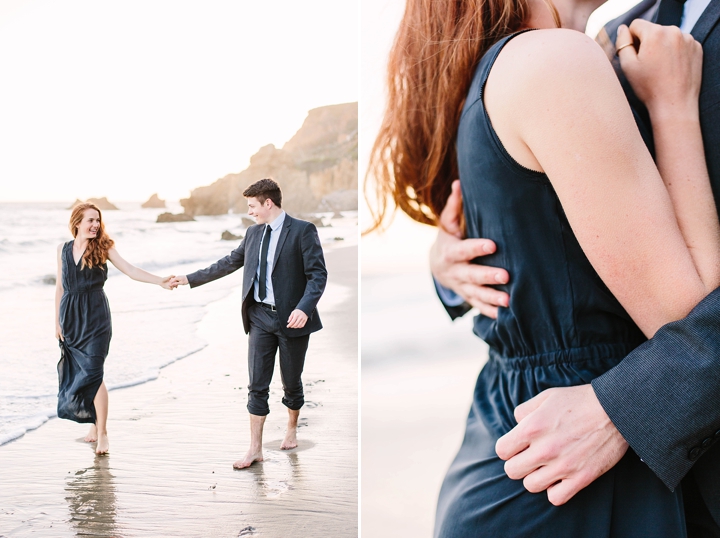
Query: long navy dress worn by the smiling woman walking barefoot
x=86 y=327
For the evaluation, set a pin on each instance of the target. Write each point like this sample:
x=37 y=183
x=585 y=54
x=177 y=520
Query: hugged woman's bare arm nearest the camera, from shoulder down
x=557 y=106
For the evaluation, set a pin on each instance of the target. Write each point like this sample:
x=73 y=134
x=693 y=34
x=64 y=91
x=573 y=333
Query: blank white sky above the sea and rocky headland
x=124 y=99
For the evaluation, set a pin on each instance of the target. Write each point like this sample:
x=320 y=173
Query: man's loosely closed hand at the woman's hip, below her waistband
x=564 y=440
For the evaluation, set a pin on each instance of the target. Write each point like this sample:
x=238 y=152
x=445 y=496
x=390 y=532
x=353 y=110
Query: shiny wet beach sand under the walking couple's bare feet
x=173 y=442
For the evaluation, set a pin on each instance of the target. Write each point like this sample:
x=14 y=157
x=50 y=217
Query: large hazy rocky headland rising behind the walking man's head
x=319 y=160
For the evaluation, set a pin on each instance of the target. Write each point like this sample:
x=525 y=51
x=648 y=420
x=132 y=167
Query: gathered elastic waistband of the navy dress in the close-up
x=610 y=352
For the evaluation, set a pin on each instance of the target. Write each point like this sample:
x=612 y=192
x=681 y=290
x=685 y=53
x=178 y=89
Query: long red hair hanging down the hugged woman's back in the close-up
x=431 y=65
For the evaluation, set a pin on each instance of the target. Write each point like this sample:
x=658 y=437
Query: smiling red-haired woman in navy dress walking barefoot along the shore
x=83 y=325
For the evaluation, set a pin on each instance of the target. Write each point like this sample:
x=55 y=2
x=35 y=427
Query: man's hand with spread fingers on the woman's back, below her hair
x=450 y=257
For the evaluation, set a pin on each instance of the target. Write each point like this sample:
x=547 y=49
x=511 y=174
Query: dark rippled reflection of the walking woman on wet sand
x=92 y=501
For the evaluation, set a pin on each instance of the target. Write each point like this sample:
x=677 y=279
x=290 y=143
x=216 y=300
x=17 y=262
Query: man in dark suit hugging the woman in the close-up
x=663 y=400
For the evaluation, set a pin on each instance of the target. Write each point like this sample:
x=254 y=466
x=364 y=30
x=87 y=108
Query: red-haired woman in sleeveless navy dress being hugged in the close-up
x=603 y=247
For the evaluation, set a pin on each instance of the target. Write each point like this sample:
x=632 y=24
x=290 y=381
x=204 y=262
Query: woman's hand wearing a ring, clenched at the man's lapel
x=664 y=66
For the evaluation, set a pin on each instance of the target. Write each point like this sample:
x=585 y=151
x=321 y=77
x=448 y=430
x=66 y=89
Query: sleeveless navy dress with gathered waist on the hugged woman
x=563 y=327
